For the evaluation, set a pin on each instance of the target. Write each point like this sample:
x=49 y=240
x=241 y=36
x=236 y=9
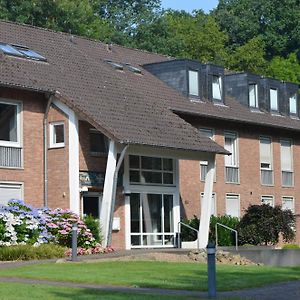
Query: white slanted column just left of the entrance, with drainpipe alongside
x=108 y=190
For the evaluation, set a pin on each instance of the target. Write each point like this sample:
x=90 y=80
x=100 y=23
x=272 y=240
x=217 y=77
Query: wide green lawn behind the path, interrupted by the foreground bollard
x=189 y=276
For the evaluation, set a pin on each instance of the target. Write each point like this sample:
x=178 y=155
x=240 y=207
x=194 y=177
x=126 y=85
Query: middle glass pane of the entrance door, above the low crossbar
x=152 y=210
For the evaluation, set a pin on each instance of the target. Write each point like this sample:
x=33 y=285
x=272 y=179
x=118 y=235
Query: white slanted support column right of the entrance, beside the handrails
x=206 y=204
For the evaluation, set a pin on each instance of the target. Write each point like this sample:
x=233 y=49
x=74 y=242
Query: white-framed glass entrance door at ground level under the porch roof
x=151 y=220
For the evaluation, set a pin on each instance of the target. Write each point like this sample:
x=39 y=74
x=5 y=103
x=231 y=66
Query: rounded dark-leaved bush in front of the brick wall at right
x=262 y=224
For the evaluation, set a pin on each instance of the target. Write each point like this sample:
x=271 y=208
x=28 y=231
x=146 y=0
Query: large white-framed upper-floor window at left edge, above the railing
x=10 y=123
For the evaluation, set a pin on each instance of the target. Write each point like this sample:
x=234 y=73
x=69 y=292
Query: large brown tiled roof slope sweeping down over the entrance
x=129 y=108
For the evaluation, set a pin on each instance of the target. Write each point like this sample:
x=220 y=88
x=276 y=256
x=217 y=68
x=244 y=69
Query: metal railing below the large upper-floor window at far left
x=10 y=157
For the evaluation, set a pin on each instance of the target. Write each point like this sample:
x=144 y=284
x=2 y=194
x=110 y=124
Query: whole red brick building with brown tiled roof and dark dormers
x=131 y=137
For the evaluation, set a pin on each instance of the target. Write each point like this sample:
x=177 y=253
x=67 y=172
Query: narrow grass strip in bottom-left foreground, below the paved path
x=16 y=291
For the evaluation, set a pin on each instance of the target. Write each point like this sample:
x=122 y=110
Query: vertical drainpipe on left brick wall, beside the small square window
x=45 y=127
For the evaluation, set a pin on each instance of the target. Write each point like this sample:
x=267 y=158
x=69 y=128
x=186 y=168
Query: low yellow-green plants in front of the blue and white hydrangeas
x=27 y=252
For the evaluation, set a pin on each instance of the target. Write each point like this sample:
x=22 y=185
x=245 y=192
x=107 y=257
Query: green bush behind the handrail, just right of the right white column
x=226 y=237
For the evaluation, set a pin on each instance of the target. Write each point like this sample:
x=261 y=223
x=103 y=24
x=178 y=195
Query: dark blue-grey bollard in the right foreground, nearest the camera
x=211 y=270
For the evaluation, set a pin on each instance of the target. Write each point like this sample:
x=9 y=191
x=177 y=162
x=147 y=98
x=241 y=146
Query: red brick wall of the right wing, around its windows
x=249 y=189
